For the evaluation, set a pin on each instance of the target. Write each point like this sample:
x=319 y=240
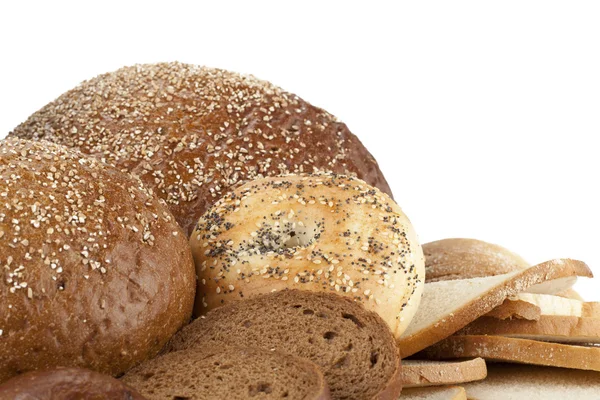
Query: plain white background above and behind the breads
x=484 y=116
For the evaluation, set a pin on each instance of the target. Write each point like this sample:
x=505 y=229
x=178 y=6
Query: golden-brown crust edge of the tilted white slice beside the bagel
x=461 y=317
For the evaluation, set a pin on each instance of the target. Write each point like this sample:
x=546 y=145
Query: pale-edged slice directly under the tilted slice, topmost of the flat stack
x=531 y=306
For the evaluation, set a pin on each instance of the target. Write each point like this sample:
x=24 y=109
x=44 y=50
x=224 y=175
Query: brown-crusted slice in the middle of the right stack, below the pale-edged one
x=549 y=328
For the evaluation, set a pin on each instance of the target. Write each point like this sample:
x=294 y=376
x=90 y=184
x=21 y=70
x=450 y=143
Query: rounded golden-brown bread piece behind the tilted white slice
x=450 y=259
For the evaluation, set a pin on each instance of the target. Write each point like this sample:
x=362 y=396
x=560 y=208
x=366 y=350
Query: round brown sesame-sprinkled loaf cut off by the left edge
x=96 y=273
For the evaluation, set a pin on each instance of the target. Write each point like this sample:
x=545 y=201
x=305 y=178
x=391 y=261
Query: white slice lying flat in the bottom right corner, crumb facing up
x=517 y=382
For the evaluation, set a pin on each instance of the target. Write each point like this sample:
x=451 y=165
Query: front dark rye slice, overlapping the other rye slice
x=228 y=372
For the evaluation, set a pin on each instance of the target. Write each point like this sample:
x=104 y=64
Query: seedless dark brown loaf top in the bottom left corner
x=66 y=384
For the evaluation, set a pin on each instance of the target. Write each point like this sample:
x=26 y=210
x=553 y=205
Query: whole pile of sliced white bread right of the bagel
x=482 y=301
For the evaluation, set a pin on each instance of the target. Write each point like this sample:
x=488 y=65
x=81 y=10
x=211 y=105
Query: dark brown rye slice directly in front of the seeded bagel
x=354 y=347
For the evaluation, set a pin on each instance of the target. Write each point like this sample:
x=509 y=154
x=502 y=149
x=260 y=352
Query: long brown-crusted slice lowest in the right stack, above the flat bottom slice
x=523 y=351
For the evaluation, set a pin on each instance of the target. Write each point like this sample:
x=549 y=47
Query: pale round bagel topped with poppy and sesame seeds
x=321 y=232
